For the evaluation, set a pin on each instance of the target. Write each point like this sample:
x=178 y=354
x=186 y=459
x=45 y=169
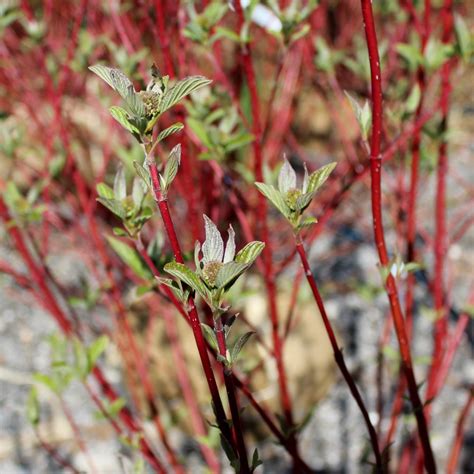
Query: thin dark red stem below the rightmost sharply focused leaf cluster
x=338 y=356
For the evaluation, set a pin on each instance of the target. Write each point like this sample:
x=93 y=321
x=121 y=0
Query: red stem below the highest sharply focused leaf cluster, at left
x=162 y=203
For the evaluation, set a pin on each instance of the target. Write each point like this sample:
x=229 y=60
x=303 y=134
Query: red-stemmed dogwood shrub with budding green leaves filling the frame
x=135 y=133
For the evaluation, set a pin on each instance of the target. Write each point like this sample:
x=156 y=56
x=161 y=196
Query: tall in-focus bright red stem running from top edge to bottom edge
x=379 y=236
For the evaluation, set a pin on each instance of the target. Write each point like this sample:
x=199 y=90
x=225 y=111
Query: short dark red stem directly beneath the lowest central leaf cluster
x=233 y=404
